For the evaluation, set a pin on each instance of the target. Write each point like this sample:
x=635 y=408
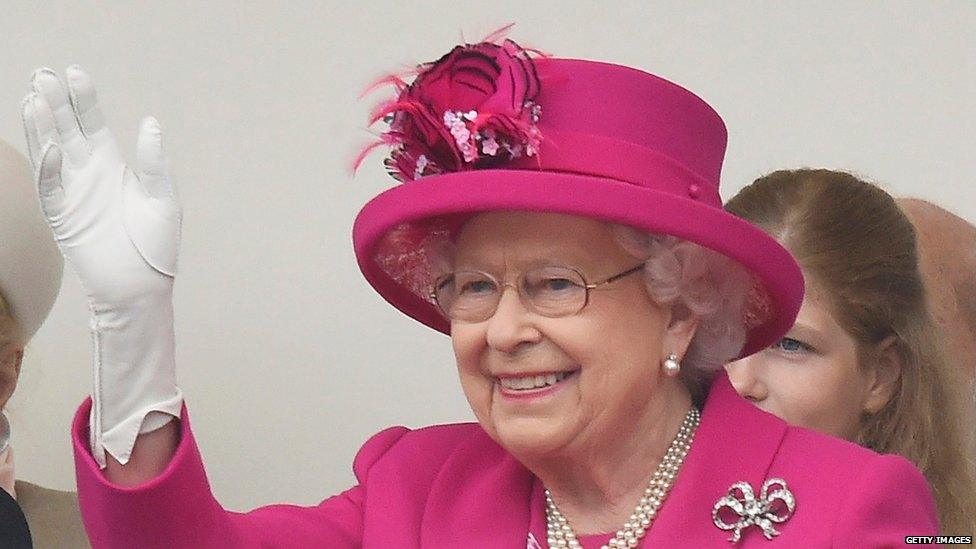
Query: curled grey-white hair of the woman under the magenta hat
x=710 y=285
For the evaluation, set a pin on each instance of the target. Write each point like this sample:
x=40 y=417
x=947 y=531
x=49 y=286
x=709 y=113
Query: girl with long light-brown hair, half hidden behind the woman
x=864 y=360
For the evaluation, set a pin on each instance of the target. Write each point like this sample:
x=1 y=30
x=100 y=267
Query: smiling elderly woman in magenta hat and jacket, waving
x=560 y=219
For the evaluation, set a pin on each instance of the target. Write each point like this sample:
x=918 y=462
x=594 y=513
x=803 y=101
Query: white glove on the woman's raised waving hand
x=120 y=231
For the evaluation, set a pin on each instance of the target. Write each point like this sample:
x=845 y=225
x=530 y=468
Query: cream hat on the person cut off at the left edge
x=30 y=262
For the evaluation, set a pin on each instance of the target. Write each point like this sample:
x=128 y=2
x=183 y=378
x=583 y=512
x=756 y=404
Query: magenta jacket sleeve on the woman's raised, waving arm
x=177 y=508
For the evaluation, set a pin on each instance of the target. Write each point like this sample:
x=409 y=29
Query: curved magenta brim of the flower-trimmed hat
x=474 y=191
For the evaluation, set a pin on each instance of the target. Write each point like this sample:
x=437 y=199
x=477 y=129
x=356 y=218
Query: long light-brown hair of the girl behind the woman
x=852 y=239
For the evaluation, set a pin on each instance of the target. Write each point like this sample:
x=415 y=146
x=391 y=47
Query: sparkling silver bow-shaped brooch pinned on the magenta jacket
x=775 y=505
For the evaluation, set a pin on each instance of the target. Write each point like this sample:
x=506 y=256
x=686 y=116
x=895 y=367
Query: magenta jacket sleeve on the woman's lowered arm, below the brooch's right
x=890 y=500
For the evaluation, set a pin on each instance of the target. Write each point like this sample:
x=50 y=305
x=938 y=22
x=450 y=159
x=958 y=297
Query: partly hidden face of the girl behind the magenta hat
x=811 y=377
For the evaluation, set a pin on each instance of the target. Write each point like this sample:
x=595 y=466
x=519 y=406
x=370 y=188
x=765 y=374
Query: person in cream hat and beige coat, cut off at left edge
x=30 y=278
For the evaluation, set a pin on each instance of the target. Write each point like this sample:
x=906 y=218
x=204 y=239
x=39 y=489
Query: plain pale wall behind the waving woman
x=288 y=359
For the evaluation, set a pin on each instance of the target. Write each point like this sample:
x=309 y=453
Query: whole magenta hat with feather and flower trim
x=492 y=126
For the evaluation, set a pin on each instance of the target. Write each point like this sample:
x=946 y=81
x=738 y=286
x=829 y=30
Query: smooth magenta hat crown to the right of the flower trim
x=625 y=104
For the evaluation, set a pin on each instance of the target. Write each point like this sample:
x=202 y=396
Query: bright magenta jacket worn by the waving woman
x=452 y=486
